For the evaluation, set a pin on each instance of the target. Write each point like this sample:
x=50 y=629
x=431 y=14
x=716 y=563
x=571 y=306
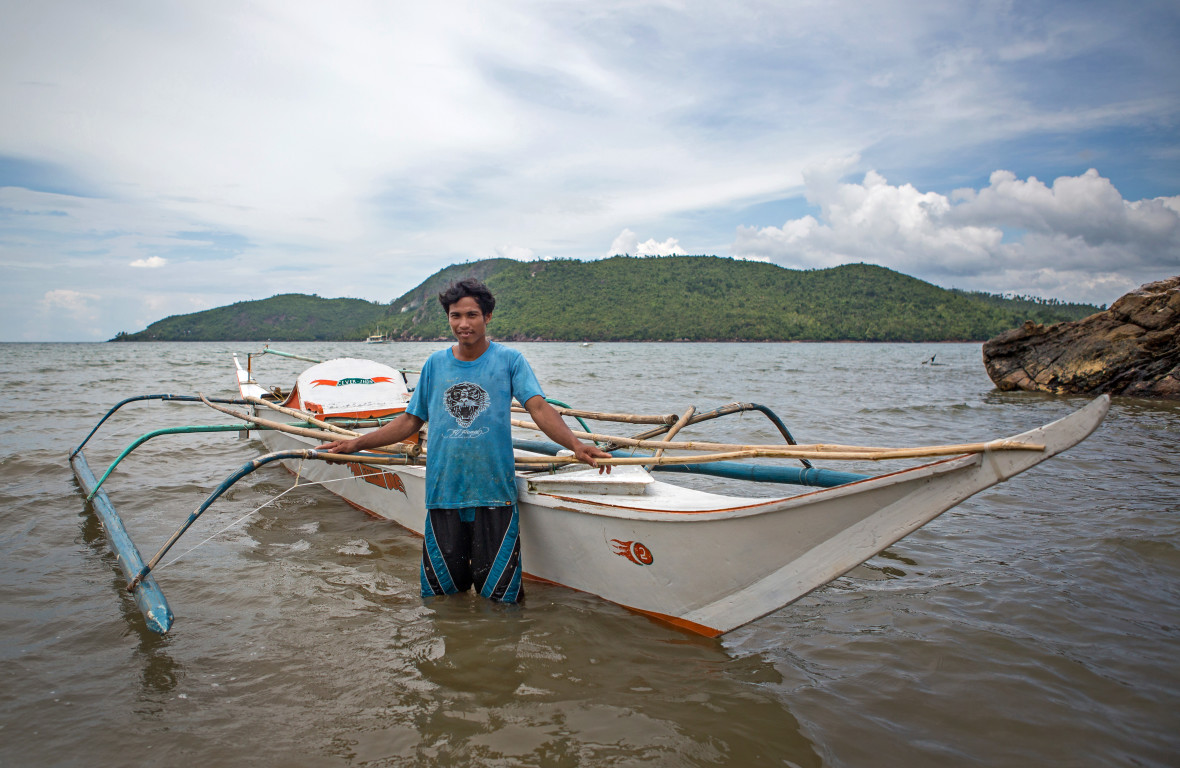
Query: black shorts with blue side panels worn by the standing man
x=476 y=547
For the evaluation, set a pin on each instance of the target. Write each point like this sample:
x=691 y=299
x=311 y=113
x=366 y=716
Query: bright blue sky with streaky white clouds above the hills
x=162 y=159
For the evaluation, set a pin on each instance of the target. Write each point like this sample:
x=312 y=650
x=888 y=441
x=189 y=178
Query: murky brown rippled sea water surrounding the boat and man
x=1034 y=625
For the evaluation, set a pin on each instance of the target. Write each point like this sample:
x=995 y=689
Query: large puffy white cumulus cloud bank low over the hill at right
x=1078 y=239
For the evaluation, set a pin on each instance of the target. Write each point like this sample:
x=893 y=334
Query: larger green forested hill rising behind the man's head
x=706 y=298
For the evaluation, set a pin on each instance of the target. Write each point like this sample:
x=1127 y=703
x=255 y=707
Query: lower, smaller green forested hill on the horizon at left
x=284 y=318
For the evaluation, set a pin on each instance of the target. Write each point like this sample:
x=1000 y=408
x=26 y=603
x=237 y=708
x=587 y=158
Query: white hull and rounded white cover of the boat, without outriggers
x=705 y=562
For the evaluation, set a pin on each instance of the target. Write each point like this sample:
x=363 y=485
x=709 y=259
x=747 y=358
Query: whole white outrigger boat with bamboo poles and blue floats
x=705 y=562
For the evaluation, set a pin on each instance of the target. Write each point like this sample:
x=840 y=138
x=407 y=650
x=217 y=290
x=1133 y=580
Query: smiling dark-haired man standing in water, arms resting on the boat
x=466 y=392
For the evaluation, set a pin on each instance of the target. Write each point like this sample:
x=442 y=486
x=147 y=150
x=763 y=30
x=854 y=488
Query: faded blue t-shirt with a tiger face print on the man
x=468 y=404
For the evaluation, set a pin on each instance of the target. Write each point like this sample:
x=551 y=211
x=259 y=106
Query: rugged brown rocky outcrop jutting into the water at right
x=1131 y=350
